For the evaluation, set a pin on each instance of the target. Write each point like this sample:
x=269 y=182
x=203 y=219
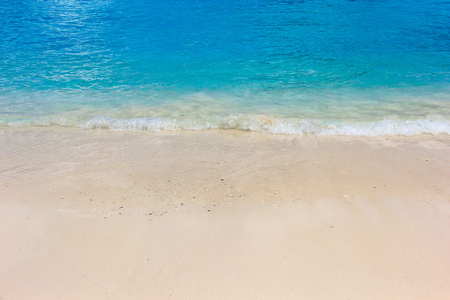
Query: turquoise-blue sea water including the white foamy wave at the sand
x=296 y=67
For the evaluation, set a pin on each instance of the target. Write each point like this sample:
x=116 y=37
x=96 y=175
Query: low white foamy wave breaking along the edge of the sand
x=257 y=123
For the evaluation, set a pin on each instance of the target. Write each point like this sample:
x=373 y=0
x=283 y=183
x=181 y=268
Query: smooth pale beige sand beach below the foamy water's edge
x=222 y=215
